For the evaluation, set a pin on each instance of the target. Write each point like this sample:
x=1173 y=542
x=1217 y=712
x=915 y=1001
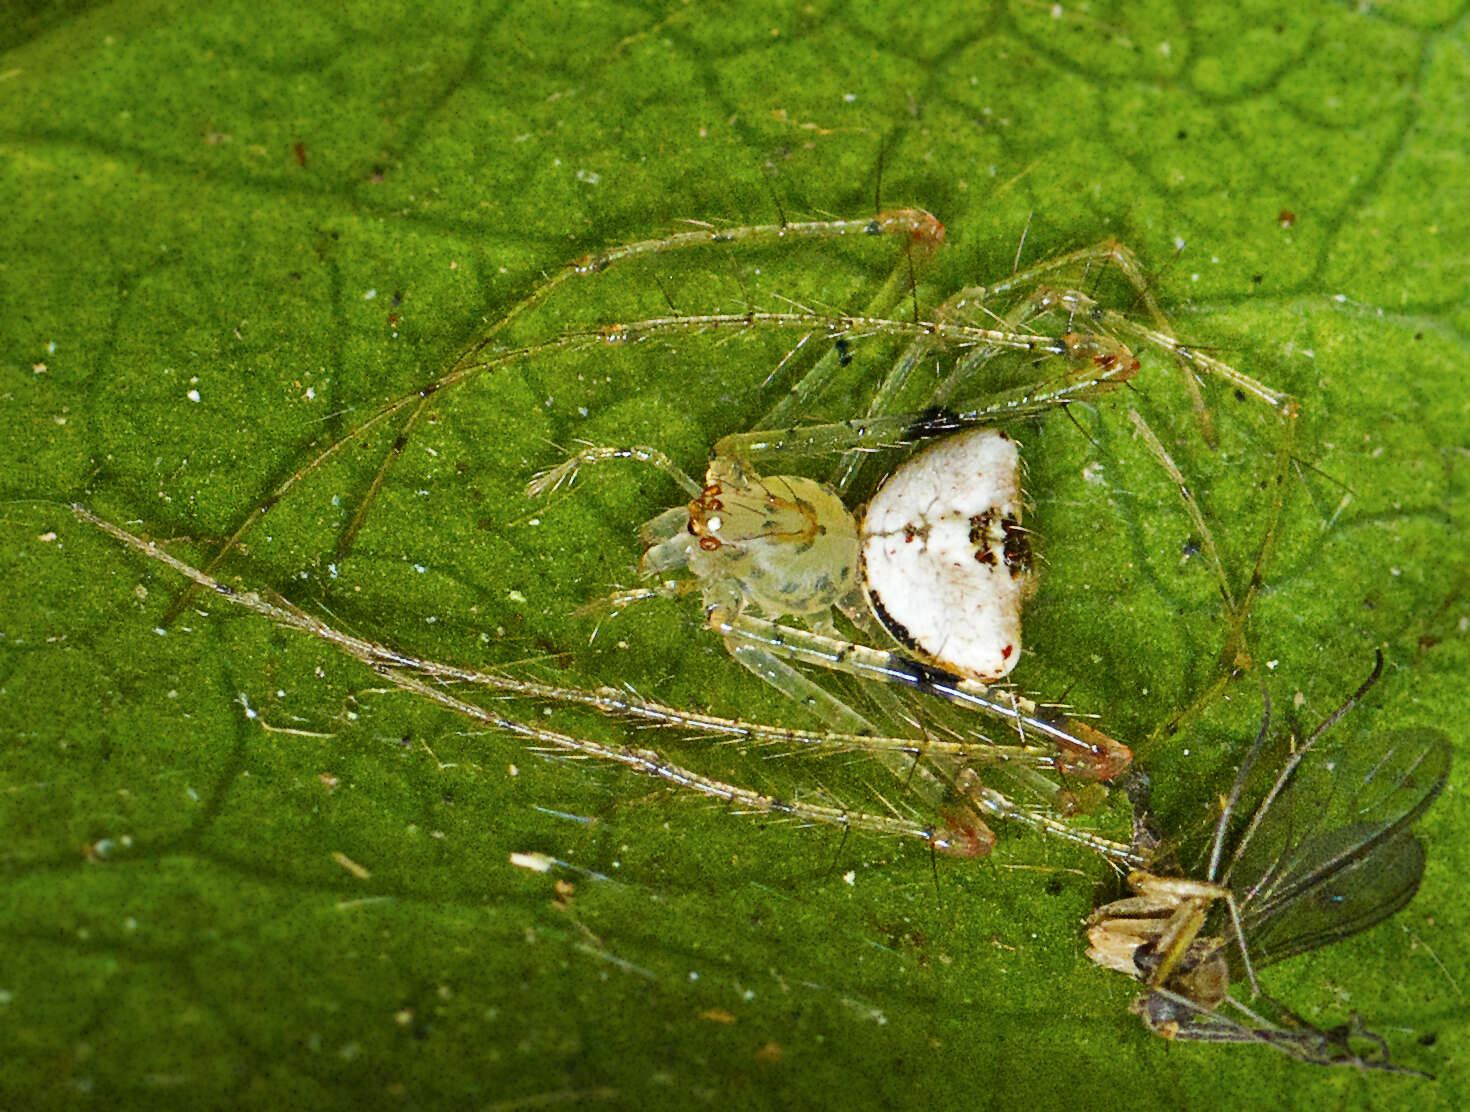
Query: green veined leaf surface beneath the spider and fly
x=234 y=230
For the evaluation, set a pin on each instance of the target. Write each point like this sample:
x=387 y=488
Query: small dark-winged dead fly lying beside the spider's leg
x=1328 y=852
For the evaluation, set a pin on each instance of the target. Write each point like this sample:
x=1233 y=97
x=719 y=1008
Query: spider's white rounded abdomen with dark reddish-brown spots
x=946 y=561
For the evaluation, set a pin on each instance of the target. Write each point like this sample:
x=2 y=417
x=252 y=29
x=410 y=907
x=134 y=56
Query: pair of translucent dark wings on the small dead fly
x=1334 y=854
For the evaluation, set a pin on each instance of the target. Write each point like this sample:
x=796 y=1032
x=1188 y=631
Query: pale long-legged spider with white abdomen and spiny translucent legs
x=964 y=339
